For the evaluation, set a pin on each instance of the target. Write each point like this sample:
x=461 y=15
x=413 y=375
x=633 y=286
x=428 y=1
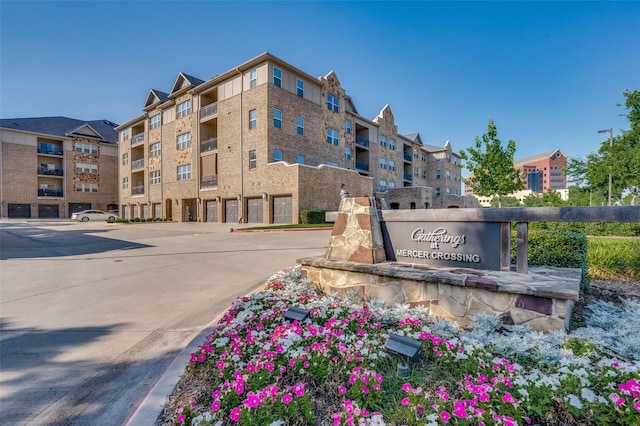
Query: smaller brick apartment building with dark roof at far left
x=55 y=166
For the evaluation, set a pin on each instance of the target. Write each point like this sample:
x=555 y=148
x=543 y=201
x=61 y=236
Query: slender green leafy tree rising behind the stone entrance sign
x=492 y=170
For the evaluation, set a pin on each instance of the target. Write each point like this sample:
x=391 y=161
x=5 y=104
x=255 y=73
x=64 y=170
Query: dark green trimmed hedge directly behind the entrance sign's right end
x=553 y=248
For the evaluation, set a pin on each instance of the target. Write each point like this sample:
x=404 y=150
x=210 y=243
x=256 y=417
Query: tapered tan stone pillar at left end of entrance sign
x=357 y=236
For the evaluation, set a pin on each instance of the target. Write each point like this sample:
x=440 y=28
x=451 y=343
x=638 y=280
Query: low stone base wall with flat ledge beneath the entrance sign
x=542 y=299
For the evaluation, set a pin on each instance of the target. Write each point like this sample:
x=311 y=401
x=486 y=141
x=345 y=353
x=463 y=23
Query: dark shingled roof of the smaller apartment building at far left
x=103 y=130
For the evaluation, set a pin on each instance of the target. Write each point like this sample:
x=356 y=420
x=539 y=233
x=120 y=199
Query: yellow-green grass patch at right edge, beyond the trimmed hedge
x=614 y=258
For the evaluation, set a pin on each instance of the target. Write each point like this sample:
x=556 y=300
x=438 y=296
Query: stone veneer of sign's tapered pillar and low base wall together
x=542 y=299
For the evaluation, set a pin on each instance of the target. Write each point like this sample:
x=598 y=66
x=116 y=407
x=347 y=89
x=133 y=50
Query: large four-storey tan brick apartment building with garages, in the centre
x=258 y=144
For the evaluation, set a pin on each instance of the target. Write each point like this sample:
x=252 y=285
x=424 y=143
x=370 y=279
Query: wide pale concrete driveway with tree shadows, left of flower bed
x=91 y=314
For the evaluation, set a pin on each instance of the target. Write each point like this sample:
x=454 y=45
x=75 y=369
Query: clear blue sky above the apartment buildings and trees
x=550 y=74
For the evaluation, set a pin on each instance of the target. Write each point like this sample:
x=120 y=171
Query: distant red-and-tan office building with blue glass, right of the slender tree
x=541 y=172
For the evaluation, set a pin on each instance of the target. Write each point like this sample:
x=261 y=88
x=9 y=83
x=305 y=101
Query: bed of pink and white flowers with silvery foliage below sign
x=258 y=369
